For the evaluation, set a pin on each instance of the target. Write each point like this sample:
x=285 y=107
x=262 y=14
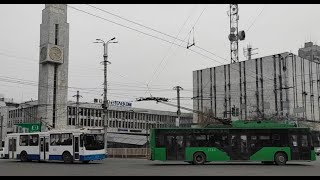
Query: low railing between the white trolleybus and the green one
x=129 y=153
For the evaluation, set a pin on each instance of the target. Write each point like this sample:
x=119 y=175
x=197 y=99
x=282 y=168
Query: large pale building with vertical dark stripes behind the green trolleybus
x=276 y=86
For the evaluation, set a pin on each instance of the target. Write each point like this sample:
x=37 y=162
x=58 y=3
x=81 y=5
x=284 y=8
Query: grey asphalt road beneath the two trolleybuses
x=142 y=167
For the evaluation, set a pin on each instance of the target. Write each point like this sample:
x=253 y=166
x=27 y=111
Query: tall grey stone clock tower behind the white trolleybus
x=53 y=66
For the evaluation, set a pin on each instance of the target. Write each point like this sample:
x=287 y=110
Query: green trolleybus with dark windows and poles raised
x=267 y=142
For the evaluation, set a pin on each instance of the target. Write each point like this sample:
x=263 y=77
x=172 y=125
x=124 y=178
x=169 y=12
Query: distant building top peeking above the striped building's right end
x=310 y=51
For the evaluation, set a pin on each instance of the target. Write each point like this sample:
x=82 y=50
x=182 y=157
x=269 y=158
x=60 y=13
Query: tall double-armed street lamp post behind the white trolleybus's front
x=105 y=101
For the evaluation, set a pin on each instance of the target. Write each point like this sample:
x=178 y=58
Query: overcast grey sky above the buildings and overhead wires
x=139 y=59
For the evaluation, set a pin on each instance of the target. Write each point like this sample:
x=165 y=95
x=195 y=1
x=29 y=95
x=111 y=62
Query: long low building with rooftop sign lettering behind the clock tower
x=127 y=126
